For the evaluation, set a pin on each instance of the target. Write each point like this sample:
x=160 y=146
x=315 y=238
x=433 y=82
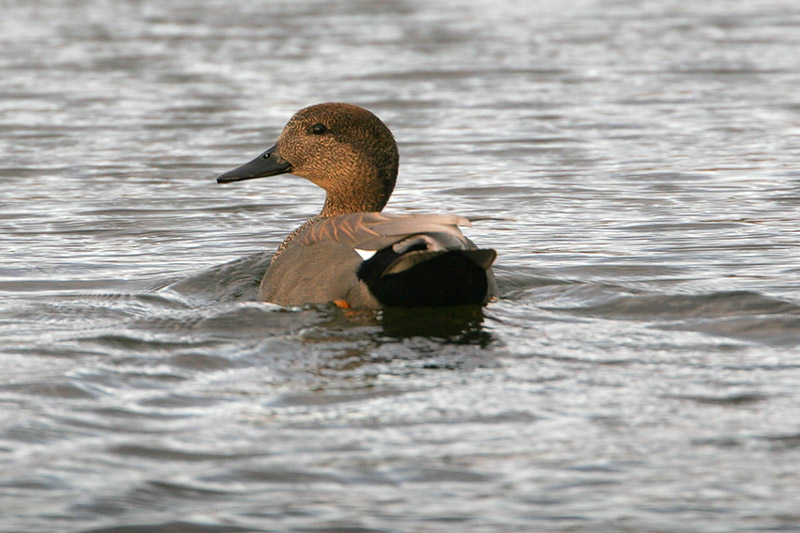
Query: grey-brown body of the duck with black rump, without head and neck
x=374 y=260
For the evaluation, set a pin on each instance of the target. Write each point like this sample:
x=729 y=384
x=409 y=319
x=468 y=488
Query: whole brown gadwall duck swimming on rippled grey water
x=351 y=254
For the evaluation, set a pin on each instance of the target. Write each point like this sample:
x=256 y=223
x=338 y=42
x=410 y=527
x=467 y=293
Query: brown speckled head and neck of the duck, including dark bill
x=343 y=148
